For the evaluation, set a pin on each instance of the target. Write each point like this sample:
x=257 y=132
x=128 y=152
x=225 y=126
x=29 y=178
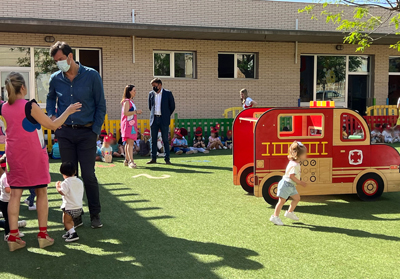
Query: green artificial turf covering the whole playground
x=197 y=224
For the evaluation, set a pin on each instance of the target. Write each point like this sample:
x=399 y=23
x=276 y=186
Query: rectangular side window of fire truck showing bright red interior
x=301 y=126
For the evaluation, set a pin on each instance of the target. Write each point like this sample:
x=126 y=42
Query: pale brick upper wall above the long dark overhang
x=259 y=14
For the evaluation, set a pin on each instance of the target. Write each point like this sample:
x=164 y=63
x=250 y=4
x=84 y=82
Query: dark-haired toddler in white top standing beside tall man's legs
x=71 y=190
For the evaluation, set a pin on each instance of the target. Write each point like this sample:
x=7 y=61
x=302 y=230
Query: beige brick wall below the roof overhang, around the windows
x=207 y=96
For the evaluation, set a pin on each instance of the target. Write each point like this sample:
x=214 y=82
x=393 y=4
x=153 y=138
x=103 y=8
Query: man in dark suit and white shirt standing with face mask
x=161 y=106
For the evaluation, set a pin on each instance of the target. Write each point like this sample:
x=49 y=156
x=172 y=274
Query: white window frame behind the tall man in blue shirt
x=32 y=83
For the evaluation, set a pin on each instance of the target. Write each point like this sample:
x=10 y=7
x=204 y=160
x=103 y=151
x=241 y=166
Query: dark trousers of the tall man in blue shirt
x=79 y=146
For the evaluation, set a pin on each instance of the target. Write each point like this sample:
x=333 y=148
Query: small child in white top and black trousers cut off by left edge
x=5 y=191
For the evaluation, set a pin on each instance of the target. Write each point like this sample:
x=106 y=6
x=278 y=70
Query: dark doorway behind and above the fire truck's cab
x=358 y=93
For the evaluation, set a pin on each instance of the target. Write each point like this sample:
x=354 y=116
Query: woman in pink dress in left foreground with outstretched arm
x=27 y=158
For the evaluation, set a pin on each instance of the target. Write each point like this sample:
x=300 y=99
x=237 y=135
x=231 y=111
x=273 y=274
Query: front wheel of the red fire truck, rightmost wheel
x=370 y=187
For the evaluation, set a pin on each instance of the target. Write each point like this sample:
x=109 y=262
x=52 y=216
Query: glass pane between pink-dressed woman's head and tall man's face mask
x=44 y=67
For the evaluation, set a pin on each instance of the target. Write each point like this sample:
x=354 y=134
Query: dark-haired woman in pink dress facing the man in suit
x=129 y=129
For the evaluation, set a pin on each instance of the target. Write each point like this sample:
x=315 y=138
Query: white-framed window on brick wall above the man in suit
x=174 y=64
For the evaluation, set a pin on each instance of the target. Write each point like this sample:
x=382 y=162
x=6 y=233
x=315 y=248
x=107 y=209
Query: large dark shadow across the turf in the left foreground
x=128 y=246
